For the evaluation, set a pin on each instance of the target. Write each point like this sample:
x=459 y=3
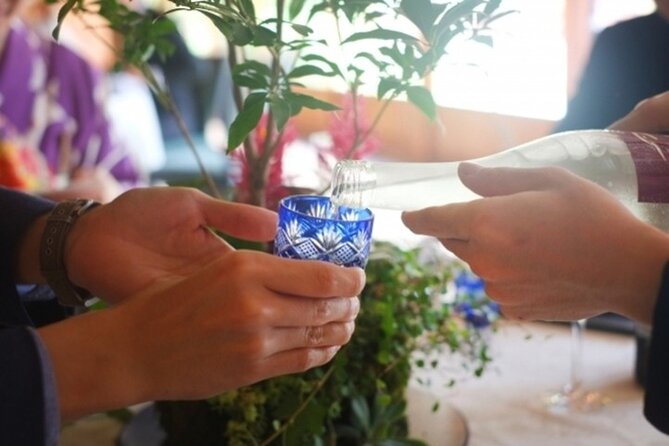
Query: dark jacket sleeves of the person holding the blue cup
x=28 y=402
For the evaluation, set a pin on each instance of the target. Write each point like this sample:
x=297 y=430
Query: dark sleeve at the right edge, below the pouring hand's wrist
x=656 y=407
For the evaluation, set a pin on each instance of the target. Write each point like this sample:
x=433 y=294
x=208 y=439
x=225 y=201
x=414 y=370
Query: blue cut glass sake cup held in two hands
x=311 y=228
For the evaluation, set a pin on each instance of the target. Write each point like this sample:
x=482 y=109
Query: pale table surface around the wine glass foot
x=505 y=407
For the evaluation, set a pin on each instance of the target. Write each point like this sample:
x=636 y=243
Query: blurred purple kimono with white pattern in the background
x=52 y=99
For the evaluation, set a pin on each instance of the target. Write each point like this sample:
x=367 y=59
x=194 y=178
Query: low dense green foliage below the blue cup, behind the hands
x=359 y=398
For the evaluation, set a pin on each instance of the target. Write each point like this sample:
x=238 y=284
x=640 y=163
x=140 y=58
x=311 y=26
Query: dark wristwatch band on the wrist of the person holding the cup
x=52 y=247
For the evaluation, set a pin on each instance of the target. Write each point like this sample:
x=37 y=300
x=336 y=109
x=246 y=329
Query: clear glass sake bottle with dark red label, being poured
x=633 y=166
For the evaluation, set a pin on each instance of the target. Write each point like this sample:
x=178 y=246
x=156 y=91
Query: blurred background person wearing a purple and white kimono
x=53 y=122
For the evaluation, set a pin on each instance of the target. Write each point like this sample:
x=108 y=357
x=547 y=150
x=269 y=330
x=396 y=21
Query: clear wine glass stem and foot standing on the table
x=573 y=396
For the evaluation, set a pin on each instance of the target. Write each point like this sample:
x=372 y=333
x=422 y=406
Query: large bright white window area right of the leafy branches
x=524 y=74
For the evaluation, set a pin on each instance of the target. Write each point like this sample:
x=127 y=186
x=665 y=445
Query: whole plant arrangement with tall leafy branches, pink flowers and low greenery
x=389 y=47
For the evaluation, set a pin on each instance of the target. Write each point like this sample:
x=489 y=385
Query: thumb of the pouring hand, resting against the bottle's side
x=496 y=181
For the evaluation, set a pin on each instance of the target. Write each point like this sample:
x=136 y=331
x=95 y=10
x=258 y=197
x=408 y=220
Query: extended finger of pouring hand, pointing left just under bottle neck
x=452 y=221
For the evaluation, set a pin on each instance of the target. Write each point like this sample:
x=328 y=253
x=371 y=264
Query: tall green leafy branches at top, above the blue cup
x=406 y=49
